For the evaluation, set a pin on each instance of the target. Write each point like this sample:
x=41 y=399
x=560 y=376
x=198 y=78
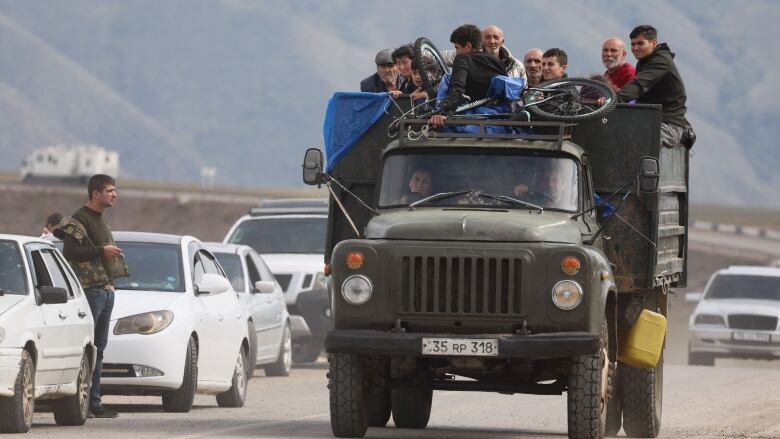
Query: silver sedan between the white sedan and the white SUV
x=269 y=322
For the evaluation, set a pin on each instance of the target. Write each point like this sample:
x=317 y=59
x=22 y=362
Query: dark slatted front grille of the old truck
x=460 y=285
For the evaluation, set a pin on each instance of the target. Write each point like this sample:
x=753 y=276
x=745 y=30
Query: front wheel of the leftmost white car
x=16 y=411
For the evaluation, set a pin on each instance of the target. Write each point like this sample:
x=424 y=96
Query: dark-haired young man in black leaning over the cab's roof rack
x=472 y=71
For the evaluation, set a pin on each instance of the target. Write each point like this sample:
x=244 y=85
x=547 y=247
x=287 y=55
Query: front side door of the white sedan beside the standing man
x=207 y=321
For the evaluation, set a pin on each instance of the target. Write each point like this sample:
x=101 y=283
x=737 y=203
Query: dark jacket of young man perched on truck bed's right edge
x=657 y=81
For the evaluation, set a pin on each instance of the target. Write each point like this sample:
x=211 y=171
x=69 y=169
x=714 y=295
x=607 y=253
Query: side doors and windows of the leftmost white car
x=59 y=352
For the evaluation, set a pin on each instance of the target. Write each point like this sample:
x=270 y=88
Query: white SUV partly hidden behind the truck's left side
x=290 y=236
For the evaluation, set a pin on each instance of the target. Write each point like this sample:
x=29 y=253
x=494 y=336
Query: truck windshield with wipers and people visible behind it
x=478 y=179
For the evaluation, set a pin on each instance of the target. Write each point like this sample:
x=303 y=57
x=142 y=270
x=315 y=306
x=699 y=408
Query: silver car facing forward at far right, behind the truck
x=736 y=316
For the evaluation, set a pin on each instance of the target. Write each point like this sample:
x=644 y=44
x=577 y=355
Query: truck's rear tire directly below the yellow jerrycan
x=642 y=391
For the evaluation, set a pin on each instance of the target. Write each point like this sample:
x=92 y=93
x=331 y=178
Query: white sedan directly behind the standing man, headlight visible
x=177 y=327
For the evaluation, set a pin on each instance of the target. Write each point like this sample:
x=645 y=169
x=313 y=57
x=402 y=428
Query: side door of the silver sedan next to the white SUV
x=271 y=308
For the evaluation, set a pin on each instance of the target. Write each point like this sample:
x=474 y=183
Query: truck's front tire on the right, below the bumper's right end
x=588 y=392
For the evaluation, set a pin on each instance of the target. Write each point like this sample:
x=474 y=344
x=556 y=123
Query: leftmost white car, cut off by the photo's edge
x=46 y=335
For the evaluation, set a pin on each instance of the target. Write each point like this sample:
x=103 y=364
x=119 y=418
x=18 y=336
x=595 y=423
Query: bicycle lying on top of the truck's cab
x=559 y=100
